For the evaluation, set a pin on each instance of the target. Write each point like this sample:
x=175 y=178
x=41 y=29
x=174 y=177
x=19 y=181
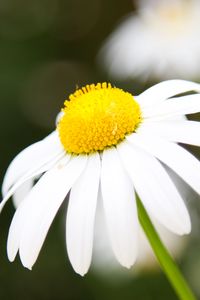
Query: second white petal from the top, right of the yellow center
x=174 y=107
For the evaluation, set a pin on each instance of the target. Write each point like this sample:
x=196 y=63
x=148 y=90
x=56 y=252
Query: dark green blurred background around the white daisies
x=47 y=49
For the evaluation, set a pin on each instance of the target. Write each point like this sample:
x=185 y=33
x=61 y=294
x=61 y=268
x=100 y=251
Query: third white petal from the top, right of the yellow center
x=180 y=131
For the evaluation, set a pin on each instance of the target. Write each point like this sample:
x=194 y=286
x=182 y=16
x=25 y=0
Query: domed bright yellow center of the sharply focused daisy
x=96 y=117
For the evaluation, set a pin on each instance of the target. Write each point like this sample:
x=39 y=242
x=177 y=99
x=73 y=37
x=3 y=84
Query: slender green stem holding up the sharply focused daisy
x=166 y=261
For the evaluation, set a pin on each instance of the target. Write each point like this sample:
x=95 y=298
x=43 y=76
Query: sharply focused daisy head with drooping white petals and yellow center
x=108 y=144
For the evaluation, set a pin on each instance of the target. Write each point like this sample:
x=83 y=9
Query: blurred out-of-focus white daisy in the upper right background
x=161 y=41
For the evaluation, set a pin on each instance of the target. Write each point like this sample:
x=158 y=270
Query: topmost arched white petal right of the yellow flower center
x=165 y=90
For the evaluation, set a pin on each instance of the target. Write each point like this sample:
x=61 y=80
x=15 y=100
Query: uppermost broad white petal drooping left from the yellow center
x=33 y=157
